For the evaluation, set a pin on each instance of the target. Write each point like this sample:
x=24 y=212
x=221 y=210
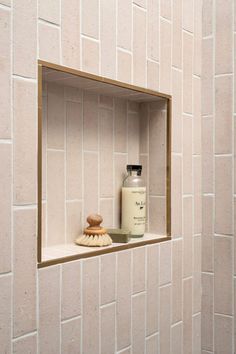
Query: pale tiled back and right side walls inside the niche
x=88 y=139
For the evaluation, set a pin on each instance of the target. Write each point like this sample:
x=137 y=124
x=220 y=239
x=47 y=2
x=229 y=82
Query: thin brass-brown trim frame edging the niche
x=139 y=91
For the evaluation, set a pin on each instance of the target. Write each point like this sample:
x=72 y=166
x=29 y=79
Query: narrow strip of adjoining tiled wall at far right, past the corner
x=218 y=176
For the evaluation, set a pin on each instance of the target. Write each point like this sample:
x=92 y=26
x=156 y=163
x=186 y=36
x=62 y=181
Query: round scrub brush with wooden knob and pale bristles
x=94 y=235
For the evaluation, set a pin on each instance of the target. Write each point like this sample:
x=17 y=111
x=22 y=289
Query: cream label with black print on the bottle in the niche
x=134 y=209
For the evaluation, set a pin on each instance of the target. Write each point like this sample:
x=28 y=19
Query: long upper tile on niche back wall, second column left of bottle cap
x=106 y=152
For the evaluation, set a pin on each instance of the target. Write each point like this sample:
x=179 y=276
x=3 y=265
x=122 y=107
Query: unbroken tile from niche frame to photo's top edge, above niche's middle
x=108 y=38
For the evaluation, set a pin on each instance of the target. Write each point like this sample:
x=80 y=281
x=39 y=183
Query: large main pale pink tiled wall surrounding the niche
x=125 y=302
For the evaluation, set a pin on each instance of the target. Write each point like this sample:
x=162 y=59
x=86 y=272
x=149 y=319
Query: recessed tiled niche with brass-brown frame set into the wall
x=90 y=128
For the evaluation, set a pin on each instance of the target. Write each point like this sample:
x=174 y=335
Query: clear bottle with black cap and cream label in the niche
x=133 y=215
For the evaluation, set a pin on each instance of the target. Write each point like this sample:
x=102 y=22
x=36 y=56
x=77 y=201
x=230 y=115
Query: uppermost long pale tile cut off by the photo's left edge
x=5 y=89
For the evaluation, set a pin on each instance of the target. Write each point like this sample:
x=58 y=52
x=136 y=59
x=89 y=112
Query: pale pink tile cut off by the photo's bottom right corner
x=223 y=339
